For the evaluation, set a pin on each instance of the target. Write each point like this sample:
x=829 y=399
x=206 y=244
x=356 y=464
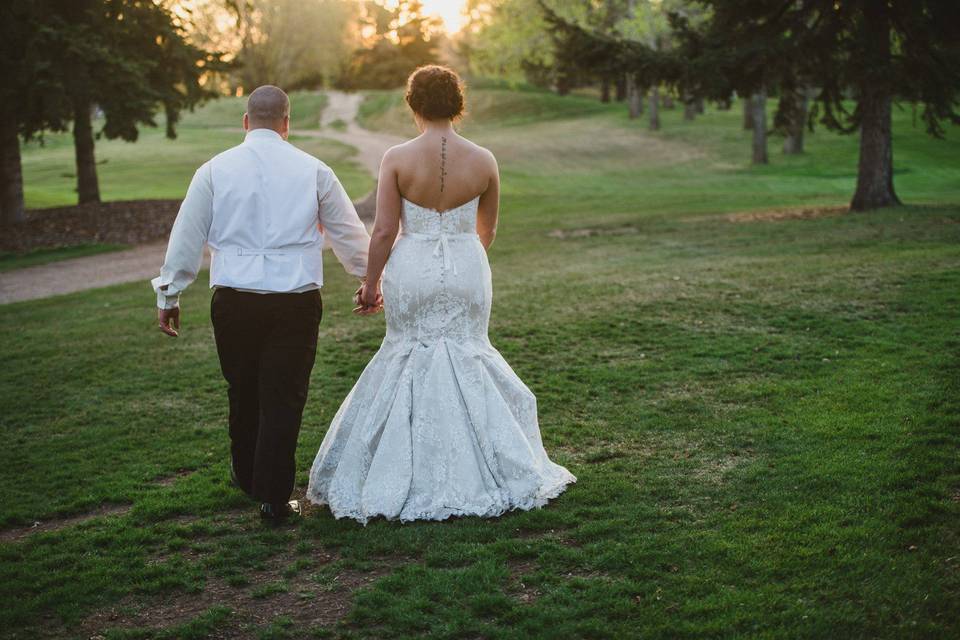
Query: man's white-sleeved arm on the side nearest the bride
x=341 y=224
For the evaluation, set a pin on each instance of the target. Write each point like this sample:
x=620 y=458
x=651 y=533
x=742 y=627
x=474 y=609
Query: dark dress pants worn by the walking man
x=267 y=344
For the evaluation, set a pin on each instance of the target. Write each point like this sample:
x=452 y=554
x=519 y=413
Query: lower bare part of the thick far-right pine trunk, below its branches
x=875 y=172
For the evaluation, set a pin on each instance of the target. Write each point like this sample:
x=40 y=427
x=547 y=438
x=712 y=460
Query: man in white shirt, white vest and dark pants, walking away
x=258 y=207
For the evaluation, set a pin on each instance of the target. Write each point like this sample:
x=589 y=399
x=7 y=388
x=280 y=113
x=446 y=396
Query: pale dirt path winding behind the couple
x=143 y=263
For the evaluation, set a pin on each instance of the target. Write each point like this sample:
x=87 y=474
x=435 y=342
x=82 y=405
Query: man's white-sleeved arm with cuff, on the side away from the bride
x=187 y=239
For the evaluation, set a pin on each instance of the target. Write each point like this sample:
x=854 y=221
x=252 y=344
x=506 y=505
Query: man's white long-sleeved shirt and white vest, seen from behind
x=257 y=207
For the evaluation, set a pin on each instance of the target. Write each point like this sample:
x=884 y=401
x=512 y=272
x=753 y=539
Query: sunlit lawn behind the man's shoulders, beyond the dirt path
x=155 y=167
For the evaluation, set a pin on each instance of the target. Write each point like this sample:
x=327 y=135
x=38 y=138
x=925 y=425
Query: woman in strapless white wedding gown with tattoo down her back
x=438 y=424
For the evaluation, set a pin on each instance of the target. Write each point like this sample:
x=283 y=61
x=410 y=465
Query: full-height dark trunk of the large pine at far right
x=875 y=171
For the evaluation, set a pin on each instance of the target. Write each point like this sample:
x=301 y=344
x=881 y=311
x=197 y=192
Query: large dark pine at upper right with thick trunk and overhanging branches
x=872 y=52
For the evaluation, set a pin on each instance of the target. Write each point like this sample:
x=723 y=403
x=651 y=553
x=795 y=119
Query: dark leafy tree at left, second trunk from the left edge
x=127 y=58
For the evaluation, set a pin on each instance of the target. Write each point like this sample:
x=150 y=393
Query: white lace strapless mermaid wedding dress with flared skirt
x=438 y=424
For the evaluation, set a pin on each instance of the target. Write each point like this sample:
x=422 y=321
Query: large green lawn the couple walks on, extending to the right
x=763 y=417
